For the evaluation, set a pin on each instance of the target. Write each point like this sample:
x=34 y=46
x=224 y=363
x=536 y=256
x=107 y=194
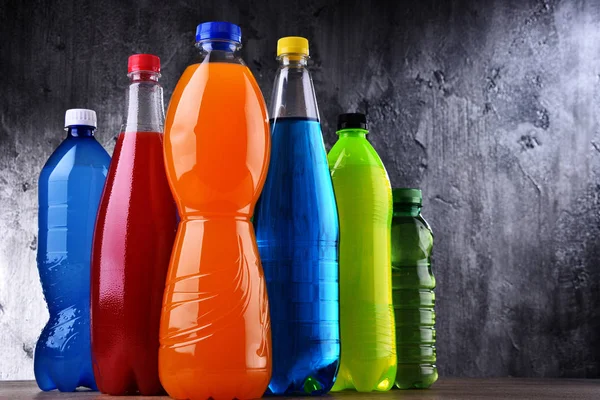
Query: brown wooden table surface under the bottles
x=463 y=389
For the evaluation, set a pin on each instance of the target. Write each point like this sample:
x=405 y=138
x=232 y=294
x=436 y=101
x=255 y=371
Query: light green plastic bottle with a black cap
x=364 y=198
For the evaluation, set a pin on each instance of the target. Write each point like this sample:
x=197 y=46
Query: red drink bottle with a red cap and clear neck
x=134 y=234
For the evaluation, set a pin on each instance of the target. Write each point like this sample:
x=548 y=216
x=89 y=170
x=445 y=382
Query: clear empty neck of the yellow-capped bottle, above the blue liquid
x=293 y=92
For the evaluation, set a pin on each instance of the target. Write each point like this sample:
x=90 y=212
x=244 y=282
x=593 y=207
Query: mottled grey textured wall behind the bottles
x=490 y=107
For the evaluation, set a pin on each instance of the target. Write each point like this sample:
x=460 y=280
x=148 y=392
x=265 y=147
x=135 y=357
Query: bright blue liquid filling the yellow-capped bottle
x=297 y=233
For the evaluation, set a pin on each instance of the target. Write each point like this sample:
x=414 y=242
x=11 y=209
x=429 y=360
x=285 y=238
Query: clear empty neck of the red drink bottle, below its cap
x=145 y=108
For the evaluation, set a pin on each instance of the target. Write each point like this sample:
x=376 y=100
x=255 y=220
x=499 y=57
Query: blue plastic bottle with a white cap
x=70 y=186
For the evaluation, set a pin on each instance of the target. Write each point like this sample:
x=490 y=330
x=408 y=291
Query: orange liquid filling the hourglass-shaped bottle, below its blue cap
x=215 y=335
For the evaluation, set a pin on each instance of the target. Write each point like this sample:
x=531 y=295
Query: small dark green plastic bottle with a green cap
x=413 y=296
